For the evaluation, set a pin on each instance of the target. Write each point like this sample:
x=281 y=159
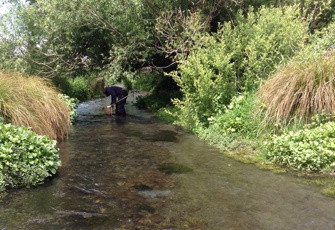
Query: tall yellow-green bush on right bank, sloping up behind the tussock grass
x=237 y=59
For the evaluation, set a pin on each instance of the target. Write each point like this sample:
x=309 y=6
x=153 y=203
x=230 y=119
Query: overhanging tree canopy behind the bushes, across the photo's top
x=65 y=37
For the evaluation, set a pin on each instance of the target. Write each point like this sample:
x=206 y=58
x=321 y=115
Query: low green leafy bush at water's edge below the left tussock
x=25 y=158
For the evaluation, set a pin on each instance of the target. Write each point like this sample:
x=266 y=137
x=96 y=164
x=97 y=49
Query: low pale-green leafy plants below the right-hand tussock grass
x=308 y=149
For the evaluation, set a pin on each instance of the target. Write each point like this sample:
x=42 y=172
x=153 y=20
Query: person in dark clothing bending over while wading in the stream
x=118 y=99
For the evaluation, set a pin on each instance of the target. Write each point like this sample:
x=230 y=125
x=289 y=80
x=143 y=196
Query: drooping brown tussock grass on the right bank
x=300 y=90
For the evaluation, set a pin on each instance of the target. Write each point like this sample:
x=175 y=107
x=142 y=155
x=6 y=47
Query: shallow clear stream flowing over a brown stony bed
x=138 y=173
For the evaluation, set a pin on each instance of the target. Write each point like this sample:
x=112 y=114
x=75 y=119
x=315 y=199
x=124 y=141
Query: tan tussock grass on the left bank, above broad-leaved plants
x=33 y=102
